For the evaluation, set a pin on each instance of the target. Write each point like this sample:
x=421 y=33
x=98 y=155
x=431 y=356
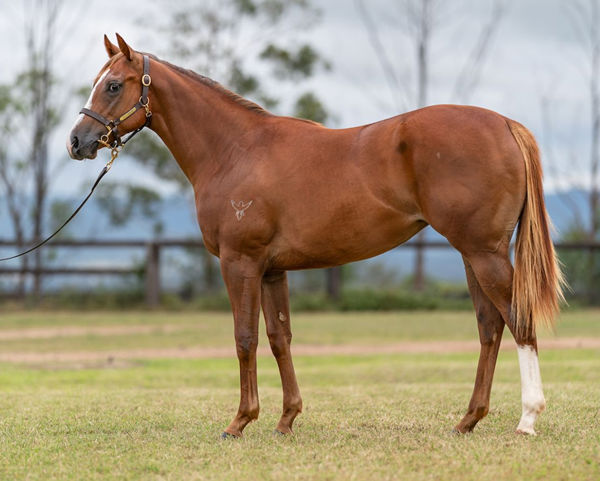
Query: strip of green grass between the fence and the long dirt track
x=216 y=329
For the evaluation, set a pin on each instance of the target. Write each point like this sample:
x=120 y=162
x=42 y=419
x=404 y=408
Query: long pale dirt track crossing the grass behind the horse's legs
x=118 y=358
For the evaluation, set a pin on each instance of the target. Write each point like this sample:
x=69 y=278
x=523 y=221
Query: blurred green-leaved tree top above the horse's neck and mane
x=222 y=38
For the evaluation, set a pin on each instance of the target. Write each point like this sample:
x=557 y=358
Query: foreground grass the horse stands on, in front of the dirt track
x=365 y=417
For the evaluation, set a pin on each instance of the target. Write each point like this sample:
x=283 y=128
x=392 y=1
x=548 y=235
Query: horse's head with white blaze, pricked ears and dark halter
x=111 y=109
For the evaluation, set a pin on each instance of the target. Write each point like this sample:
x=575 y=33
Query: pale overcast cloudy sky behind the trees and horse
x=535 y=53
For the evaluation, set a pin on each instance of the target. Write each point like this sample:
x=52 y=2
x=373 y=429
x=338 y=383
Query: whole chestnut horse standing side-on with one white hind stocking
x=276 y=193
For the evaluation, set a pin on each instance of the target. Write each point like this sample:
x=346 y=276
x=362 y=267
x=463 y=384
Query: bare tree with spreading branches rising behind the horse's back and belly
x=421 y=22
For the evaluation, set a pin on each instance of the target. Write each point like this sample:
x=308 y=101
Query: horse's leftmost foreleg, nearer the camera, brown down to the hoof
x=243 y=279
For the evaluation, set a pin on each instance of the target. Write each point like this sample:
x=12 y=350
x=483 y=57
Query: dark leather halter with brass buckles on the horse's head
x=112 y=125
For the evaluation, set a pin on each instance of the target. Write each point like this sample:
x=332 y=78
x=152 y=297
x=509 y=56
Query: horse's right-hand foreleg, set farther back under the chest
x=275 y=303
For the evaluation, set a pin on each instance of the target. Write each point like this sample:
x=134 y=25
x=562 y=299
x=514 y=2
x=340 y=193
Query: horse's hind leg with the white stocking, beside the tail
x=494 y=274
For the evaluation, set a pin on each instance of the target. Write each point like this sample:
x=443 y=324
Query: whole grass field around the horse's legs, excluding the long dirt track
x=366 y=416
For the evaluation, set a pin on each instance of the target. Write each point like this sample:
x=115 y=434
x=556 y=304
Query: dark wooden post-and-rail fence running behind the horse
x=153 y=254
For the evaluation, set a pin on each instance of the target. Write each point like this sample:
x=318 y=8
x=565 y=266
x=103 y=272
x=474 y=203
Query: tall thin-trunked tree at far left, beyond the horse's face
x=29 y=103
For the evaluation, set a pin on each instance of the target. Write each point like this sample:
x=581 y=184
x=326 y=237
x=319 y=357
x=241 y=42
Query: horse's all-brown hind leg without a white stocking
x=490 y=325
